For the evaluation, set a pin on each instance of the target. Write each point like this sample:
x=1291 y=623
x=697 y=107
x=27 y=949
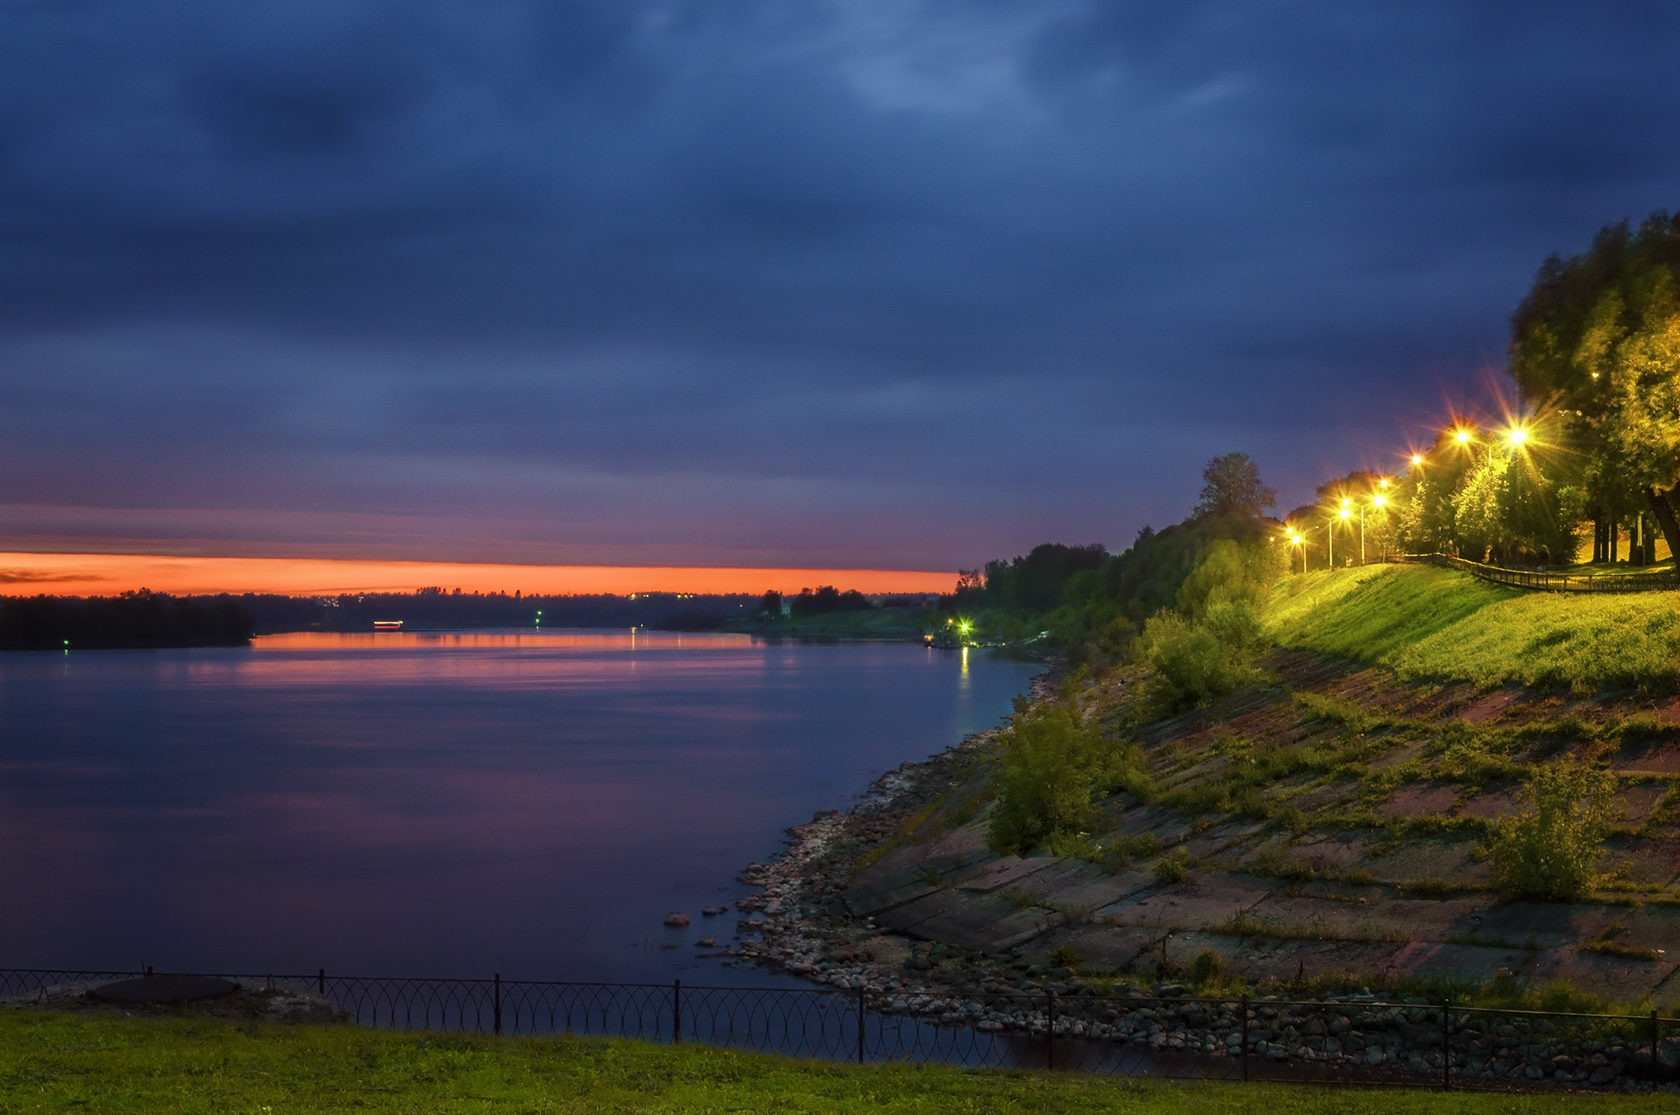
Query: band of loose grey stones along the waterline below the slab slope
x=802 y=924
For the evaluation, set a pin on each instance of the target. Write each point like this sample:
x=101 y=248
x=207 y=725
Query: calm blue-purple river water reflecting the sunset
x=441 y=805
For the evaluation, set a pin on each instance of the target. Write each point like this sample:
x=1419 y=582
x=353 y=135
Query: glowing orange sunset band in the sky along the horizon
x=108 y=575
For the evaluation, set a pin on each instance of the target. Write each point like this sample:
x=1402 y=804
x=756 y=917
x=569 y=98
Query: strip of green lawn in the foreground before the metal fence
x=108 y=1064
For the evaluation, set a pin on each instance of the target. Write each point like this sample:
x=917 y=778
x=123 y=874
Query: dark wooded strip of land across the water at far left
x=140 y=619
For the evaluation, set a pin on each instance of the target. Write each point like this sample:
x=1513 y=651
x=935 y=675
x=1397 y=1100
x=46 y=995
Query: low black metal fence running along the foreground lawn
x=1358 y=1040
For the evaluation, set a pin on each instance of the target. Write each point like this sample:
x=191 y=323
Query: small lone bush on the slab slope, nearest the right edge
x=1548 y=851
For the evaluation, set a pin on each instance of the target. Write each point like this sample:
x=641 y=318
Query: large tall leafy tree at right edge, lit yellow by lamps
x=1597 y=342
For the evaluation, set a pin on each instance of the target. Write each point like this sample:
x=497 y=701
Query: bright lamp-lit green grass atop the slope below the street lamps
x=1434 y=624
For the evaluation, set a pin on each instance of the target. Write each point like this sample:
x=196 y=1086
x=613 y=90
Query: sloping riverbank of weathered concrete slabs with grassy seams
x=1311 y=835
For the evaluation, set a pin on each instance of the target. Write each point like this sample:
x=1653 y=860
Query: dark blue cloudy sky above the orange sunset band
x=816 y=285
